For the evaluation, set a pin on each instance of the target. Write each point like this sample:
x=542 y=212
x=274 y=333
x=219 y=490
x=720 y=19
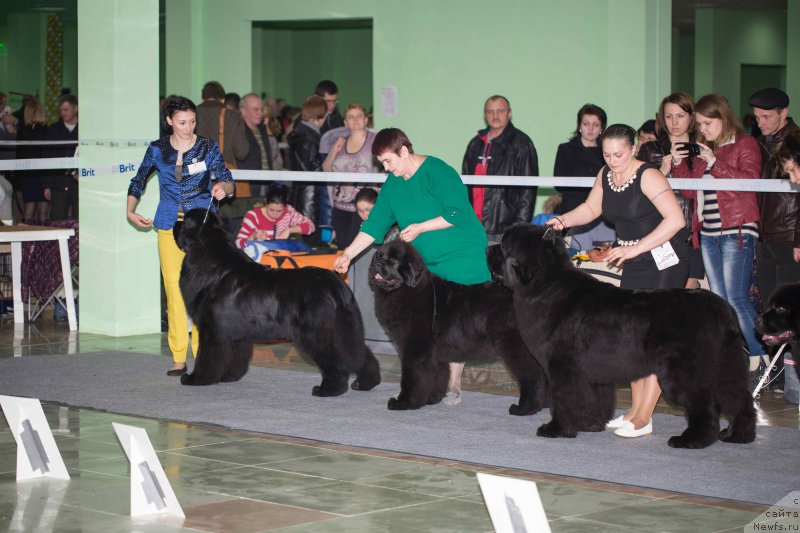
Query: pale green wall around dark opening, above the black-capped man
x=727 y=39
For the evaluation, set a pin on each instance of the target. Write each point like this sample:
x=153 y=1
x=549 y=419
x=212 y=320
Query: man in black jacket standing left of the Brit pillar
x=61 y=187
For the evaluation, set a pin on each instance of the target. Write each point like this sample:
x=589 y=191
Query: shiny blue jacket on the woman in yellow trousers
x=192 y=191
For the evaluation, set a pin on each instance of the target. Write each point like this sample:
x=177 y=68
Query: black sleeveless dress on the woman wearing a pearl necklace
x=634 y=217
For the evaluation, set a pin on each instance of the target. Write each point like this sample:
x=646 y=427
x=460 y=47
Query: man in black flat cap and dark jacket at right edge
x=778 y=248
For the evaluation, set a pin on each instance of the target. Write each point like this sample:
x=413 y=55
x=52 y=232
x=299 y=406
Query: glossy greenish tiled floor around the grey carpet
x=229 y=481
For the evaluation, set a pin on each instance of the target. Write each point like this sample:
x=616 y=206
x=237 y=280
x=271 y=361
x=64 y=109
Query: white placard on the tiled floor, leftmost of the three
x=37 y=452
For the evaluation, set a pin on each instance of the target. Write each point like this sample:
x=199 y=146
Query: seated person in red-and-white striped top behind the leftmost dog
x=274 y=220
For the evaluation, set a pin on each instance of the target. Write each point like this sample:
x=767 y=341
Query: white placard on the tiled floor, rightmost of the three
x=514 y=504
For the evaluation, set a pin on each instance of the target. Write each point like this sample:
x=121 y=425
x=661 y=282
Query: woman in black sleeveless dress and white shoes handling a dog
x=637 y=198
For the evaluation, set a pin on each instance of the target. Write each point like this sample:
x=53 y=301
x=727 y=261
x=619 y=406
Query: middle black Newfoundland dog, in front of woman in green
x=434 y=322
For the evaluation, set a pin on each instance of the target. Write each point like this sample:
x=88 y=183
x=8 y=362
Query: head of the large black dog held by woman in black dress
x=529 y=254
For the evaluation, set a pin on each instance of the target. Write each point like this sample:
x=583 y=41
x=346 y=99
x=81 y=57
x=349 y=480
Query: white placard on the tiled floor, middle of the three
x=151 y=492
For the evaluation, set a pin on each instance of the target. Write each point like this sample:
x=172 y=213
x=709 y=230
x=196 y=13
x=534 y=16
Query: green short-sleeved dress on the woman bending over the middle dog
x=457 y=253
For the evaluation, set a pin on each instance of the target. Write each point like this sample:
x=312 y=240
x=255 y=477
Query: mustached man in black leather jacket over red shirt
x=501 y=150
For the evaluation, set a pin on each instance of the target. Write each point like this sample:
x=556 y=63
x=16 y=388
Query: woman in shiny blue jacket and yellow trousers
x=191 y=172
